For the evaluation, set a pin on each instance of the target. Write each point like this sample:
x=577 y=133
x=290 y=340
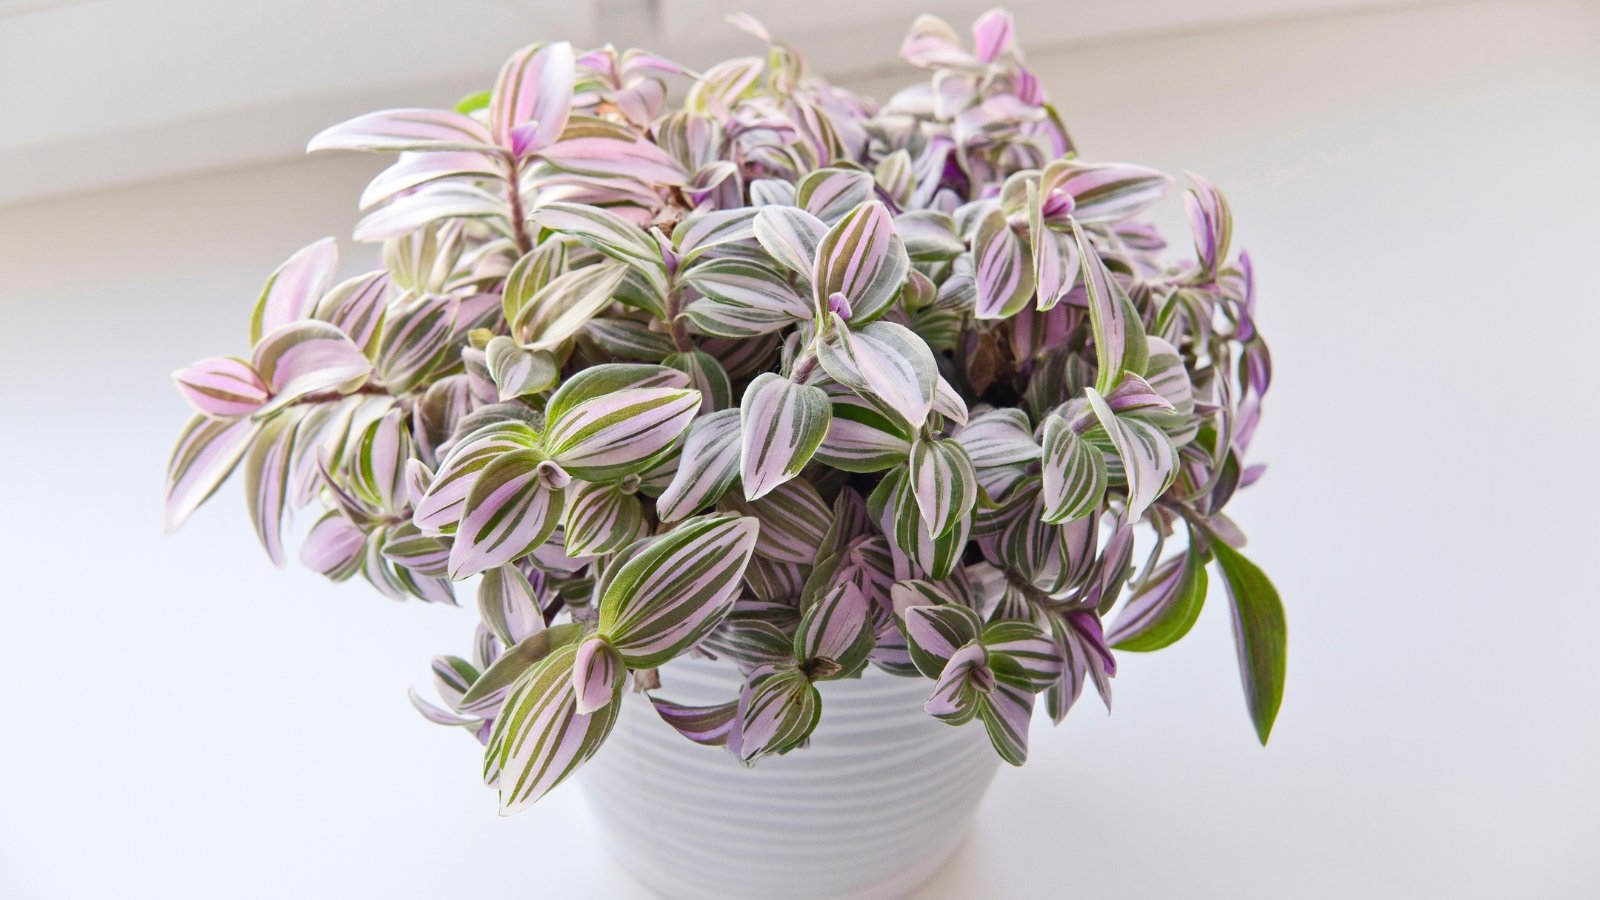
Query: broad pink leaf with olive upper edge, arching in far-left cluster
x=308 y=358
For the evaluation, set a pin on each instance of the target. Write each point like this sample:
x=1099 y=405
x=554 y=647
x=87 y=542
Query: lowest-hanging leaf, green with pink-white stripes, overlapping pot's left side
x=540 y=739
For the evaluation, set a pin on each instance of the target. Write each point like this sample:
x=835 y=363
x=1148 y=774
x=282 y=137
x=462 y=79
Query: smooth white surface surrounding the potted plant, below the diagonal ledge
x=1418 y=190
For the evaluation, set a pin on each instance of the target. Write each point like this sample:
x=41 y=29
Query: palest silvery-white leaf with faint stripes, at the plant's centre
x=884 y=363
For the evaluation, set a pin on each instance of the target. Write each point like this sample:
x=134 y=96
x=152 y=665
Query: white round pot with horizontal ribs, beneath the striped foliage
x=870 y=811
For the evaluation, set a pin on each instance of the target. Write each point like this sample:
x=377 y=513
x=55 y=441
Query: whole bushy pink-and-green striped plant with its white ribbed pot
x=764 y=419
